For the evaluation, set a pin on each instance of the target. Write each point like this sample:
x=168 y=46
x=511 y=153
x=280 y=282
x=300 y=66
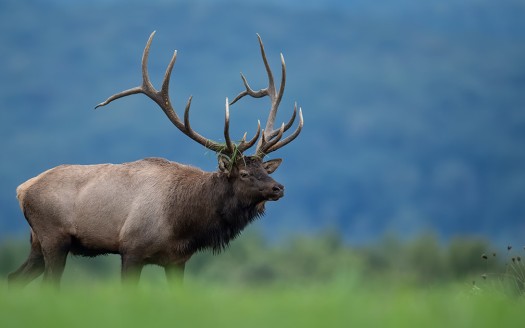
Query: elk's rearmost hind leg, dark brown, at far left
x=31 y=268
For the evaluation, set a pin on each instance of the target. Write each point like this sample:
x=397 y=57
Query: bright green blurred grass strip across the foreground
x=200 y=305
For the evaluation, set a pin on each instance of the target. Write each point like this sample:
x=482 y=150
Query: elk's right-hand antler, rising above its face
x=271 y=138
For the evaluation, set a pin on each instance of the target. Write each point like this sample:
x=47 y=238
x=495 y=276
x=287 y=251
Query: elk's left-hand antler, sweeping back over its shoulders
x=163 y=100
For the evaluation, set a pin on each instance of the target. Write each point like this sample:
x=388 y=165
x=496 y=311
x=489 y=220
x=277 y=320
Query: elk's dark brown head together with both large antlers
x=248 y=174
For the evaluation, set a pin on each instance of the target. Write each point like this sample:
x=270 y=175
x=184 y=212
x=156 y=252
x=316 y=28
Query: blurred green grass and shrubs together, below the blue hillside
x=419 y=284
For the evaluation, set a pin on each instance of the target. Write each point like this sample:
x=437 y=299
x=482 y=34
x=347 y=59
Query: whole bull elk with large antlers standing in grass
x=154 y=211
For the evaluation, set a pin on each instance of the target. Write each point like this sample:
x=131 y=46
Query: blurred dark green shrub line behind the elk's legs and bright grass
x=252 y=260
